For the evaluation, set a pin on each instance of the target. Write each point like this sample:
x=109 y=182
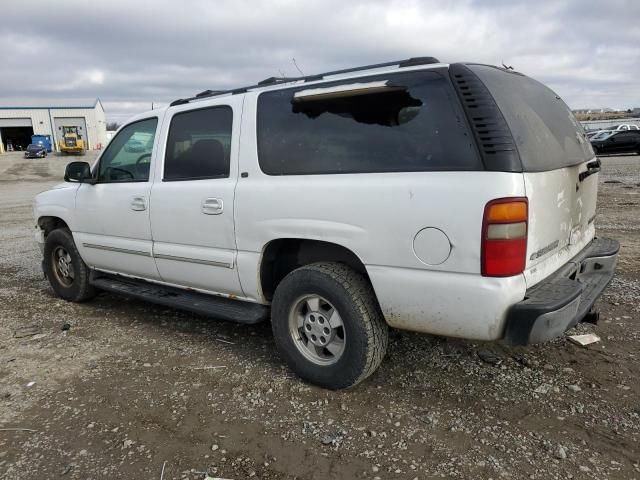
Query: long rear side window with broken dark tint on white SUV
x=408 y=122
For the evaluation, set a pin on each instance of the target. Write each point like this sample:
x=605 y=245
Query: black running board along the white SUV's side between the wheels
x=208 y=305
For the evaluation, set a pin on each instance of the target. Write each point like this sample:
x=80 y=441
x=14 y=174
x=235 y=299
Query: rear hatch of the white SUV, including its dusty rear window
x=558 y=164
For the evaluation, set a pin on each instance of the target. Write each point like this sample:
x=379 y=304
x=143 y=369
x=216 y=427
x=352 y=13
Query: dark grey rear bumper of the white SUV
x=563 y=299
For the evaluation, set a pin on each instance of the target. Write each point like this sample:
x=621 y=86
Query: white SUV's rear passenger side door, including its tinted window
x=192 y=199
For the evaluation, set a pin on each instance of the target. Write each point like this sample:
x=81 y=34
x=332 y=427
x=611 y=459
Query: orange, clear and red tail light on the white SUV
x=504 y=237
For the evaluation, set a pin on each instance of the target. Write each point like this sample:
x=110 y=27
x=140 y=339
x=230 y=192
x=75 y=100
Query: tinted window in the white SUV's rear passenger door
x=199 y=144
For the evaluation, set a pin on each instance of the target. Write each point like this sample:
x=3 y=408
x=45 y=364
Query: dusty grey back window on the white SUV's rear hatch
x=546 y=133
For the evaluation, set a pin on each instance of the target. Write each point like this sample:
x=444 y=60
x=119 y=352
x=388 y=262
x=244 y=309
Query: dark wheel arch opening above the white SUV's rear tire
x=283 y=255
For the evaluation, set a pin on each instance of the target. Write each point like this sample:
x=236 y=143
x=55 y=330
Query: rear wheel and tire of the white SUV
x=305 y=304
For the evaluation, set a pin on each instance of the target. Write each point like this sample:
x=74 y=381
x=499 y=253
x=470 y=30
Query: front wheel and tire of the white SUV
x=68 y=278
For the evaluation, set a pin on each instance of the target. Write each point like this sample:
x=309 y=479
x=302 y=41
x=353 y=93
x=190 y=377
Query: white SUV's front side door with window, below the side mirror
x=114 y=233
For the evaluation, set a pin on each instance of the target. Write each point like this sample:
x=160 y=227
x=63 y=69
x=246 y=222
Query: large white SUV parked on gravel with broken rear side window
x=455 y=200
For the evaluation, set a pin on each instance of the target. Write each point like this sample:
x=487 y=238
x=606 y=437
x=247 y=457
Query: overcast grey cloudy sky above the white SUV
x=131 y=53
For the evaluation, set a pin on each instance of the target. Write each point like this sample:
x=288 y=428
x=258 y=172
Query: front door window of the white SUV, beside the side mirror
x=128 y=155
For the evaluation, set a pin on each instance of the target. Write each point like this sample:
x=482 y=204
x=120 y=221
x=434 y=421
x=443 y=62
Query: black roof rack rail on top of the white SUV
x=409 y=62
